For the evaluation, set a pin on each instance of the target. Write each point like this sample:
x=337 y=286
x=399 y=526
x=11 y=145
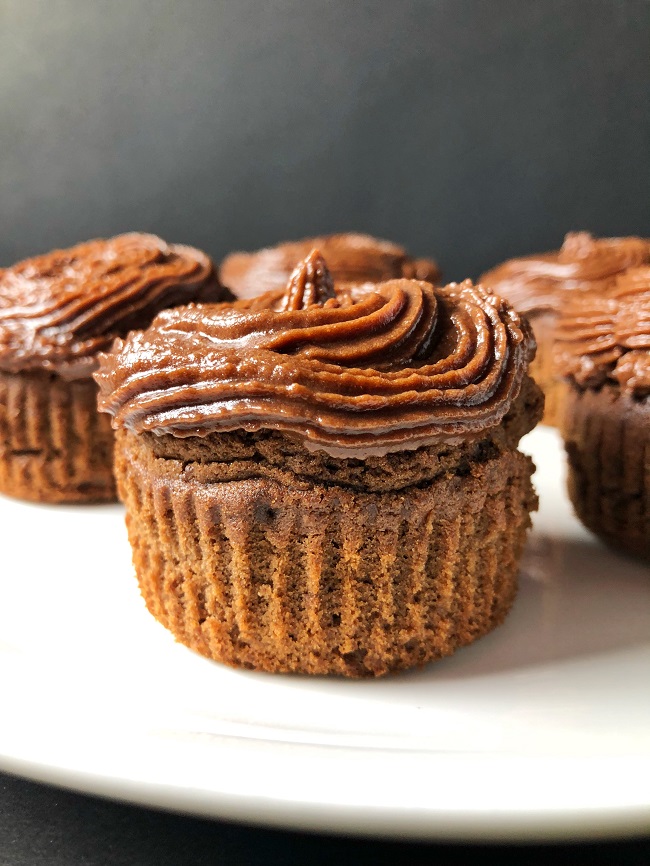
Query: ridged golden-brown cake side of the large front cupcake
x=326 y=580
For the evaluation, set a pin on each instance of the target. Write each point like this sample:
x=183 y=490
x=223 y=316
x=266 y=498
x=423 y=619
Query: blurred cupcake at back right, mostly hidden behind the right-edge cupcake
x=538 y=286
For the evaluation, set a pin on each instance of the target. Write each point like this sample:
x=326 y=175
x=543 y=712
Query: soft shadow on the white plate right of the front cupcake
x=577 y=598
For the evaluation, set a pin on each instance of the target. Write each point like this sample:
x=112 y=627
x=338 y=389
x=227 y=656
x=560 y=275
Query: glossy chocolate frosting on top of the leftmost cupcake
x=59 y=309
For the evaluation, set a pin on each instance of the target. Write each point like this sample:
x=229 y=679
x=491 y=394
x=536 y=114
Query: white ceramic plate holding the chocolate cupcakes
x=540 y=730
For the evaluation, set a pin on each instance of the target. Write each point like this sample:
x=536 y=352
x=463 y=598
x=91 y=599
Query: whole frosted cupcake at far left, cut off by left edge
x=57 y=311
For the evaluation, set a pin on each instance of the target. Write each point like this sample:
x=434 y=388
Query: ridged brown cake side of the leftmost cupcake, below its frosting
x=54 y=445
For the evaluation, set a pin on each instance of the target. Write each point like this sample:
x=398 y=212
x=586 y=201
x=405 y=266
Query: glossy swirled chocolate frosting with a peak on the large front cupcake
x=355 y=372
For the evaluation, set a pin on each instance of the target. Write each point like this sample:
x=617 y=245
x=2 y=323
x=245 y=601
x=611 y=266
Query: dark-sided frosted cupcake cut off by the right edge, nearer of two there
x=603 y=349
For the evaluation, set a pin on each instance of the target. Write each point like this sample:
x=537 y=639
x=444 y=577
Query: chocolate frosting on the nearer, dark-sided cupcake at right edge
x=607 y=336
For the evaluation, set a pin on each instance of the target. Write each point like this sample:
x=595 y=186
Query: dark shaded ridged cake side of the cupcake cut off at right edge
x=607 y=439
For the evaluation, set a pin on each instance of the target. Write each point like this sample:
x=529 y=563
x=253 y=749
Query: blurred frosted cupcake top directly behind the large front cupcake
x=351 y=258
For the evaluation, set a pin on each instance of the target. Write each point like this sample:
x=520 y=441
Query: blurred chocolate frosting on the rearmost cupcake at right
x=541 y=282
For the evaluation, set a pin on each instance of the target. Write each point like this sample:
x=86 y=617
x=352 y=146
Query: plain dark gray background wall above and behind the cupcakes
x=468 y=130
